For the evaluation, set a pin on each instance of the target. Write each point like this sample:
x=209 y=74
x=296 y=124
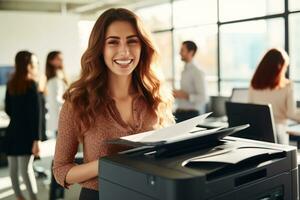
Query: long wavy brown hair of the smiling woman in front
x=89 y=93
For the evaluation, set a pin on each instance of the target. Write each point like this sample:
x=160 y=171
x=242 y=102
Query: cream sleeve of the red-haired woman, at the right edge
x=292 y=111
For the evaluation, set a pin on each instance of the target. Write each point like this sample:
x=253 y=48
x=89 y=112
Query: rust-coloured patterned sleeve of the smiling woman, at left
x=66 y=145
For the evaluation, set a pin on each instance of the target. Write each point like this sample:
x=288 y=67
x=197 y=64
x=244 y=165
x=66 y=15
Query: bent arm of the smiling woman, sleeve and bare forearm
x=65 y=171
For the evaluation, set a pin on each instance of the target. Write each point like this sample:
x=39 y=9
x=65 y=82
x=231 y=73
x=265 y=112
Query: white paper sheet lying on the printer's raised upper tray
x=171 y=133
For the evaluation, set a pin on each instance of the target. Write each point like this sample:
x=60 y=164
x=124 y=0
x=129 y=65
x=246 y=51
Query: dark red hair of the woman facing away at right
x=268 y=72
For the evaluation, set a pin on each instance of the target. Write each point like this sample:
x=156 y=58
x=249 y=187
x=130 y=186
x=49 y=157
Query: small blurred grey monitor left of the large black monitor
x=217 y=106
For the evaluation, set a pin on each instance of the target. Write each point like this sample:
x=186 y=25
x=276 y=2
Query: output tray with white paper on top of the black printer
x=225 y=163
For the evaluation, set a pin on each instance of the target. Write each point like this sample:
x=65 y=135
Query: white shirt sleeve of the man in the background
x=200 y=96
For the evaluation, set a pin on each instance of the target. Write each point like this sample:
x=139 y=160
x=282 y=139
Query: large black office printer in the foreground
x=211 y=167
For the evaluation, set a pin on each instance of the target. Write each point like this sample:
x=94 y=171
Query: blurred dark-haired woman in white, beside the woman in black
x=55 y=88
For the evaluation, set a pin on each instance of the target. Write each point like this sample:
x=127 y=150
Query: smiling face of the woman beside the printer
x=122 y=48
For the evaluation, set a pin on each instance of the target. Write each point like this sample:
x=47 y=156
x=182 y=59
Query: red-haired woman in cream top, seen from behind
x=269 y=85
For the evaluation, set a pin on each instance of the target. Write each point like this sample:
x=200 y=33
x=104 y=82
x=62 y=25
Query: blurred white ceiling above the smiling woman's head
x=85 y=8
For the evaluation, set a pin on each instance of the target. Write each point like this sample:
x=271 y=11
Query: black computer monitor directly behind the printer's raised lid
x=260 y=118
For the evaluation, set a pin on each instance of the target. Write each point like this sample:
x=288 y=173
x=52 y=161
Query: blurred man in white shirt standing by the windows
x=192 y=97
